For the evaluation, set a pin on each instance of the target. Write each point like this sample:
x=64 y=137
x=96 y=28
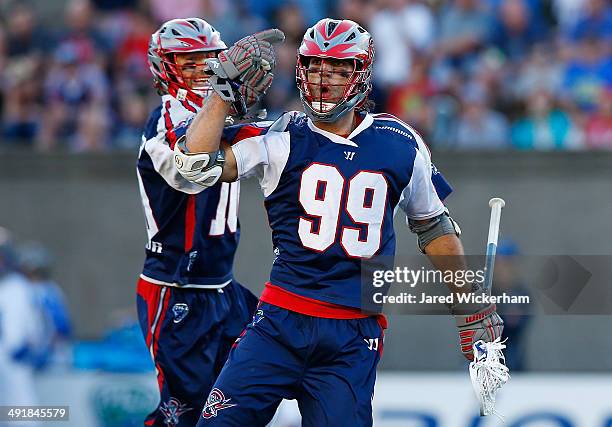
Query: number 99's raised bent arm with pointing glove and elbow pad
x=241 y=76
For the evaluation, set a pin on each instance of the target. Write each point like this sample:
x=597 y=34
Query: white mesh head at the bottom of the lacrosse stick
x=488 y=373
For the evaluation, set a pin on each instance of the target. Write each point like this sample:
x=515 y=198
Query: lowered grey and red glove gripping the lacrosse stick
x=476 y=322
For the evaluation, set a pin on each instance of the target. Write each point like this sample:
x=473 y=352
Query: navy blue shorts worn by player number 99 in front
x=328 y=365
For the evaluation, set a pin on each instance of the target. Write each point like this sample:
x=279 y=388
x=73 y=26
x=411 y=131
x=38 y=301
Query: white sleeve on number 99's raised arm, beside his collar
x=264 y=156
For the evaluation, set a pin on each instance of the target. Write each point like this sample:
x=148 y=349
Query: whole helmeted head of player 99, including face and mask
x=334 y=68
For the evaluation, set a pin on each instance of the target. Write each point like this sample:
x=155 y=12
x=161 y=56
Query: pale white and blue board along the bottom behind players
x=401 y=400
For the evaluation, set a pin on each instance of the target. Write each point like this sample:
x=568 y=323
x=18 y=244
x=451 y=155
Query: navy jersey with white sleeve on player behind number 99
x=192 y=233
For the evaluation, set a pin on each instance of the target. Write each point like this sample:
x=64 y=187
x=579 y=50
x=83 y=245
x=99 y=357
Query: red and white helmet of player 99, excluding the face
x=338 y=39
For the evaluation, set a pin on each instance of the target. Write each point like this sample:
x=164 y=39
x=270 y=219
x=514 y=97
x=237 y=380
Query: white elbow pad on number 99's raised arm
x=203 y=169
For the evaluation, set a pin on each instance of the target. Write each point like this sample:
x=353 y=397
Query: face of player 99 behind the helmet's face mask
x=327 y=79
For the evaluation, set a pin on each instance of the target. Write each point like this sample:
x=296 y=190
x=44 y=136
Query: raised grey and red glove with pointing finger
x=249 y=63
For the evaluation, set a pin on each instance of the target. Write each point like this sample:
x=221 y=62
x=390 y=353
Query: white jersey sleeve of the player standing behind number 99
x=160 y=147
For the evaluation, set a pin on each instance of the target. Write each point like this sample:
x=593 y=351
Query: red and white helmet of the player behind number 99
x=175 y=37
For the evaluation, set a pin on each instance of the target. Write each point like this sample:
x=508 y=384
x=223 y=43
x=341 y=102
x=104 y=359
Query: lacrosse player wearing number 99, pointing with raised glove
x=331 y=177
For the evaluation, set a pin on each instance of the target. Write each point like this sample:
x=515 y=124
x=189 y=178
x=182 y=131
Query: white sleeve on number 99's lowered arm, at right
x=419 y=200
